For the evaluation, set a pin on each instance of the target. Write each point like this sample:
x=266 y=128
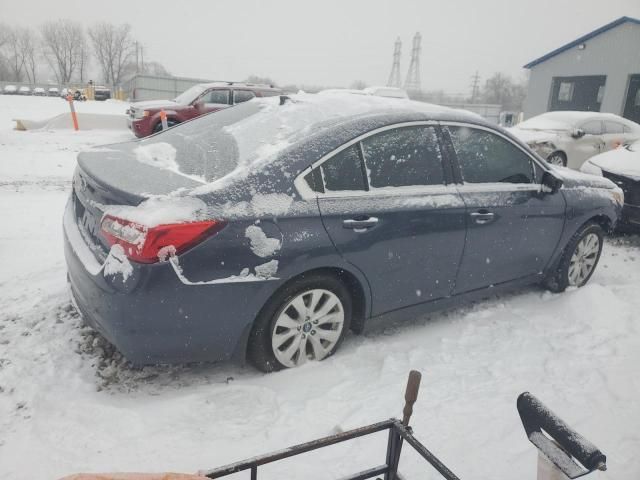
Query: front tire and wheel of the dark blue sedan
x=579 y=260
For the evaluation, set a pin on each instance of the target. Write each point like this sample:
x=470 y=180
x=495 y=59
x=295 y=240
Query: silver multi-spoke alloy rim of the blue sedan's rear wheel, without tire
x=308 y=327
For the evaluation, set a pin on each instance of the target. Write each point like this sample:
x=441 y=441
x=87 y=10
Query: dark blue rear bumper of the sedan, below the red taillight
x=153 y=317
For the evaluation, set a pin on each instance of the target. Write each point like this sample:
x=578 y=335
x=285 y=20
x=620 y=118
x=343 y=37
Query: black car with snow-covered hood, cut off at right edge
x=622 y=167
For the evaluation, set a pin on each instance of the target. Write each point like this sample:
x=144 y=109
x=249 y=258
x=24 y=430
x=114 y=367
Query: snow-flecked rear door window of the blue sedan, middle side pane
x=403 y=157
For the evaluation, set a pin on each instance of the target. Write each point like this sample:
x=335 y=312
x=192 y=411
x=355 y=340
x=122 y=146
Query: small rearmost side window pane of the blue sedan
x=343 y=171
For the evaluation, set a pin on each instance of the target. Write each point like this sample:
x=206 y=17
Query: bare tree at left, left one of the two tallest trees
x=62 y=42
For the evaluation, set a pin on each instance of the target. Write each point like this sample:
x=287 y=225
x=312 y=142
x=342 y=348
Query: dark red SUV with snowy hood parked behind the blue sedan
x=143 y=118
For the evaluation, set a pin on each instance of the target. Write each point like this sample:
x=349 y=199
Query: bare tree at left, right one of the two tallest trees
x=114 y=47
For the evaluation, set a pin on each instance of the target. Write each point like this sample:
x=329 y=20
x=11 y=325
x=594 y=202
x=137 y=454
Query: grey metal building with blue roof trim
x=599 y=71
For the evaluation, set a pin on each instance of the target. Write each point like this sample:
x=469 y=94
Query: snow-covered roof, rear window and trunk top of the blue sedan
x=252 y=138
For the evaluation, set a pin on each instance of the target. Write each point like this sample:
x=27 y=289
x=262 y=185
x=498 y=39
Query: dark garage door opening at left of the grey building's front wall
x=577 y=93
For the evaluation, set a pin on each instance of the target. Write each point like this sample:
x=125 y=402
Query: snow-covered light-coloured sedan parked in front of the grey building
x=570 y=138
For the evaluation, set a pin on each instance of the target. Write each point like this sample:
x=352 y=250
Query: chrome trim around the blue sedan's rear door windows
x=306 y=193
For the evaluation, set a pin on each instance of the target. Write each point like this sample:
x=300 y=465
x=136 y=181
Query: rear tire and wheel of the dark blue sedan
x=285 y=337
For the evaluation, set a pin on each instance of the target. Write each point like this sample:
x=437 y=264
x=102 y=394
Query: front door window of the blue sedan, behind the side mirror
x=485 y=157
